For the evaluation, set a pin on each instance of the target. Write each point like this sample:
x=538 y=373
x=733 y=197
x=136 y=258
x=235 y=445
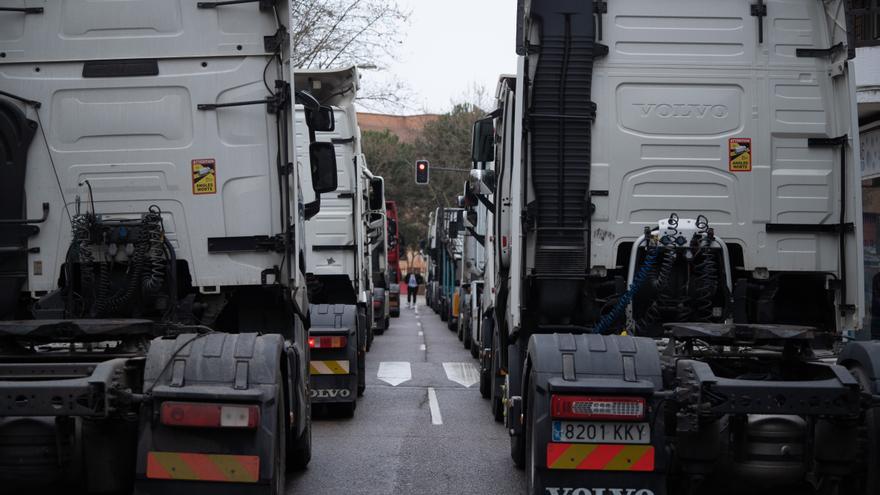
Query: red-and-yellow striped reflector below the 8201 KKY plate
x=595 y=457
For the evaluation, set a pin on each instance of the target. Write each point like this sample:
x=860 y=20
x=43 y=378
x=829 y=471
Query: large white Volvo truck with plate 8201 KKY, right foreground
x=682 y=295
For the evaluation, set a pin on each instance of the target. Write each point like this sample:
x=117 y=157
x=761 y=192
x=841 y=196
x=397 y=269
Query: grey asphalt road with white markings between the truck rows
x=429 y=434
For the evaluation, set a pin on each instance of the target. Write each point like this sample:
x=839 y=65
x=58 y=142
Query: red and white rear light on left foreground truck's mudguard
x=198 y=415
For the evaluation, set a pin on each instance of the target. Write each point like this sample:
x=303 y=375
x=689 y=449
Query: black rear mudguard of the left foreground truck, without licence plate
x=212 y=368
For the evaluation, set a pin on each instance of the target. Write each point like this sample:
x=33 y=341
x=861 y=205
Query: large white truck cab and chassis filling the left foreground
x=153 y=309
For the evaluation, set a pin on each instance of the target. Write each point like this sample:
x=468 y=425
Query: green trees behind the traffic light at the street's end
x=445 y=142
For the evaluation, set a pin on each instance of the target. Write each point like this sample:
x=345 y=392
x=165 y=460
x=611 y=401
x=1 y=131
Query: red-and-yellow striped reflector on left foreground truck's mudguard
x=203 y=467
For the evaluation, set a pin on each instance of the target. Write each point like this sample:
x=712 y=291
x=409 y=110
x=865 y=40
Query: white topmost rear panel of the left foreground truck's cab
x=70 y=30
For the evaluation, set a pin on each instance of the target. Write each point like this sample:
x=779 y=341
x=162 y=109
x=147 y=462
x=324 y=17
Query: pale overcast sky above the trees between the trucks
x=450 y=46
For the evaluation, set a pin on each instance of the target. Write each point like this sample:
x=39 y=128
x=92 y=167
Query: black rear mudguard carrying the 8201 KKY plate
x=600 y=366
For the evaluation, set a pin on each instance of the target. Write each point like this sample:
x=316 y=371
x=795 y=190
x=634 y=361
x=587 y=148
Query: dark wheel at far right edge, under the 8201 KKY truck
x=868 y=481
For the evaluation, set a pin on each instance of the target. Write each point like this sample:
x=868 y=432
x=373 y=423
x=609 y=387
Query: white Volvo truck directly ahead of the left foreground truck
x=336 y=268
